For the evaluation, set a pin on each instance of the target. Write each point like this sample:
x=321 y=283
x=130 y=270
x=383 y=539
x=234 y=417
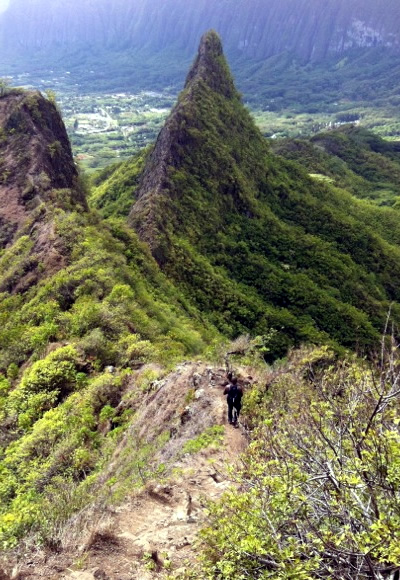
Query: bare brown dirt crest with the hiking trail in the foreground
x=138 y=537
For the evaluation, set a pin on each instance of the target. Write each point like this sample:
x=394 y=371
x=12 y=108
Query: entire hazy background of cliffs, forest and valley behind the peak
x=302 y=66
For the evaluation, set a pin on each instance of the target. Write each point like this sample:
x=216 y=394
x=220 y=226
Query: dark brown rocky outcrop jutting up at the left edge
x=37 y=169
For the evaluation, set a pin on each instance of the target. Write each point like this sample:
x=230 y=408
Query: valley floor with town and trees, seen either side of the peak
x=286 y=97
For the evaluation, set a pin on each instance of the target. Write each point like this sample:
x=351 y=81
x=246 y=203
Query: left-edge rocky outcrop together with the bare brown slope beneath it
x=38 y=175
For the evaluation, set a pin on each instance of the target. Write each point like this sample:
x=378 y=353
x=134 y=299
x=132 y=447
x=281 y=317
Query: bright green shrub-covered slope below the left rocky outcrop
x=60 y=410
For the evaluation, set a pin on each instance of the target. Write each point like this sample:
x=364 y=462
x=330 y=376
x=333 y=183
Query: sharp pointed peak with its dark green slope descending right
x=251 y=237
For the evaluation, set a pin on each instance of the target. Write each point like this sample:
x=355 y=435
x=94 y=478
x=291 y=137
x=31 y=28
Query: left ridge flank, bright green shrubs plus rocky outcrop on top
x=78 y=294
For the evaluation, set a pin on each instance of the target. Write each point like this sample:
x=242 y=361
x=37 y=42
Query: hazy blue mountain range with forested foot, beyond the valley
x=37 y=33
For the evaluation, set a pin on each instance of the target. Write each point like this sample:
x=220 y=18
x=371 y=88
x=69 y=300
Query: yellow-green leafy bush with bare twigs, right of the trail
x=318 y=495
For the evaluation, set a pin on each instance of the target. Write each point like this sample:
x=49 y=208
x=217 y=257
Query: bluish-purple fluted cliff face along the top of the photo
x=256 y=28
